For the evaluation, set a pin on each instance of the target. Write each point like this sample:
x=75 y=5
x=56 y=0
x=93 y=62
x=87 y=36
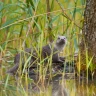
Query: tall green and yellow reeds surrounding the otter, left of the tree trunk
x=24 y=24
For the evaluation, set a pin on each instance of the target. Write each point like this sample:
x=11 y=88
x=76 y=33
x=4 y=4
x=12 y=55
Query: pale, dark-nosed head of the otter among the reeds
x=60 y=43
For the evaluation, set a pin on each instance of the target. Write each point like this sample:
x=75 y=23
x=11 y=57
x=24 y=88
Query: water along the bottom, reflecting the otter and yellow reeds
x=61 y=85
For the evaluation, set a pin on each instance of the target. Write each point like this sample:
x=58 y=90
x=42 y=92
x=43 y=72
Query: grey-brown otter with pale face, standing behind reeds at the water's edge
x=50 y=49
